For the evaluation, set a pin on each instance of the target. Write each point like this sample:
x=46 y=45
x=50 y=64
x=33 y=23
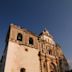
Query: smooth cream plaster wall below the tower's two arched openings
x=21 y=56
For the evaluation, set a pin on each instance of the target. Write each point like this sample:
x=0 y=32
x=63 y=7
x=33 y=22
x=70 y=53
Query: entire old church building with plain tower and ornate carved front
x=27 y=52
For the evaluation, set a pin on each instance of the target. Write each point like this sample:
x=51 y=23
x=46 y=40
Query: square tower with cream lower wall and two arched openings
x=22 y=51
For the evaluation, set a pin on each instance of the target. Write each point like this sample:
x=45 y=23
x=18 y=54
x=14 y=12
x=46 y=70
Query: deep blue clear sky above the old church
x=55 y=15
